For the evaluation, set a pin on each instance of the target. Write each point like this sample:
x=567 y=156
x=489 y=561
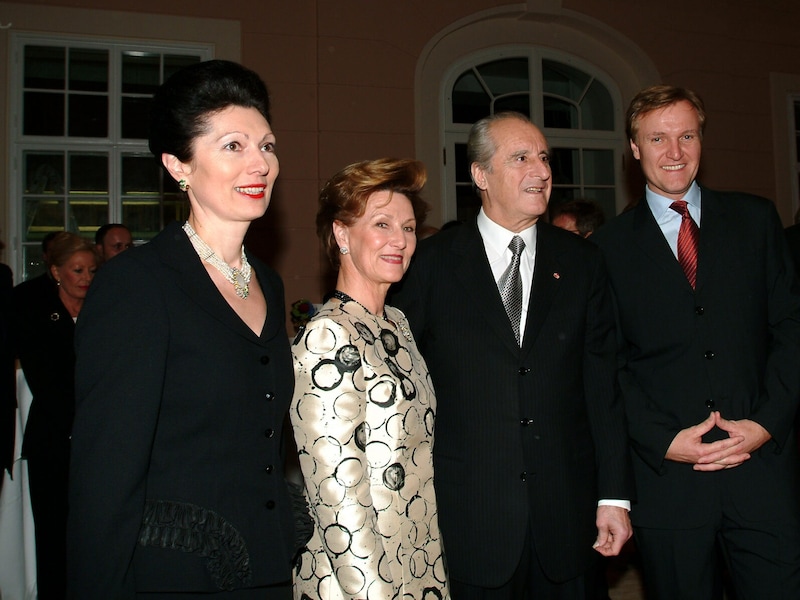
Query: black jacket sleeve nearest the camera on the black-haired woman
x=121 y=344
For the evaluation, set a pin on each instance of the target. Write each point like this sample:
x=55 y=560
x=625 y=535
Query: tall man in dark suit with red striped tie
x=709 y=324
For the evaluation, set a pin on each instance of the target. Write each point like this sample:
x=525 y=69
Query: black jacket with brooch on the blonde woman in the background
x=44 y=332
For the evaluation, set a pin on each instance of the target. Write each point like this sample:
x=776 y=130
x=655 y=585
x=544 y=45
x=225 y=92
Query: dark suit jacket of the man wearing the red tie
x=731 y=345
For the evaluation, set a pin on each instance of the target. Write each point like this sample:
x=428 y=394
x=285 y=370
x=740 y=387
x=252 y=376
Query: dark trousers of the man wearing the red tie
x=763 y=558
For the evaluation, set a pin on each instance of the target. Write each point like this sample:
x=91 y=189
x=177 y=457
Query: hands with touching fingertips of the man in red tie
x=744 y=437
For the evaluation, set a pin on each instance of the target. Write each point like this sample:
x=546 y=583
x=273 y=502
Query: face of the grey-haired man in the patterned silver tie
x=516 y=187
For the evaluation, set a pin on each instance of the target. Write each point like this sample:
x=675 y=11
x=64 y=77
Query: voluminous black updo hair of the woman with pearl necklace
x=182 y=105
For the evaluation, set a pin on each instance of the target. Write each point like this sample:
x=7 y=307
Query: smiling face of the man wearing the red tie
x=668 y=145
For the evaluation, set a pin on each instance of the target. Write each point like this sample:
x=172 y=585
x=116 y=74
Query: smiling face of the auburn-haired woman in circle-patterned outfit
x=381 y=242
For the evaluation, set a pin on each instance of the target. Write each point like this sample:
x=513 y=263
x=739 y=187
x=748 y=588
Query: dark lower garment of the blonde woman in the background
x=47 y=475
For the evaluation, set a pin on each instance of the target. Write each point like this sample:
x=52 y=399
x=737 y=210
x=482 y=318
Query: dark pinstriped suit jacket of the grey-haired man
x=524 y=437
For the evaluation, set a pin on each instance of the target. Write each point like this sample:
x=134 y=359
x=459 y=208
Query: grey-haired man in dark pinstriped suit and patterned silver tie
x=515 y=322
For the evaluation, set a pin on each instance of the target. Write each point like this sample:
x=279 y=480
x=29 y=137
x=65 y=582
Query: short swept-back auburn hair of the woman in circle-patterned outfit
x=344 y=197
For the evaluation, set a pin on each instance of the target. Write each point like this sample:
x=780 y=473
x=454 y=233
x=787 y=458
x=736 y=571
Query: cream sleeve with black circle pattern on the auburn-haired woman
x=329 y=417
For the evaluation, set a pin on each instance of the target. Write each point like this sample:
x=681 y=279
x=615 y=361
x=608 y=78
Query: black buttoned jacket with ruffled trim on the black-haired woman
x=180 y=409
